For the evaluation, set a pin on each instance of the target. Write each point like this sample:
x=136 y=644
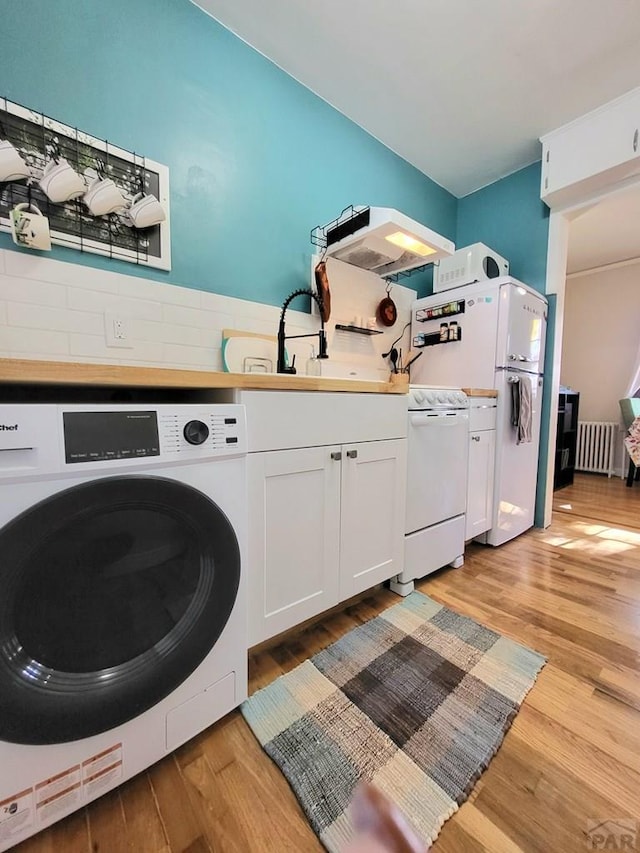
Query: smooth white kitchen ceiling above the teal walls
x=462 y=89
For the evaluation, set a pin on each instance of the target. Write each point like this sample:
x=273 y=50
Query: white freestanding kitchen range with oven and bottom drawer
x=437 y=454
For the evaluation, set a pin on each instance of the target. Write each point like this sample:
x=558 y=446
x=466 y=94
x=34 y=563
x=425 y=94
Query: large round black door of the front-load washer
x=113 y=592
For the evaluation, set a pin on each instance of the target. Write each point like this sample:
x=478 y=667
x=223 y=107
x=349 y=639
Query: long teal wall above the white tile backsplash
x=256 y=160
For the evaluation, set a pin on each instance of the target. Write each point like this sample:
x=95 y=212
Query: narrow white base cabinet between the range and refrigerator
x=482 y=452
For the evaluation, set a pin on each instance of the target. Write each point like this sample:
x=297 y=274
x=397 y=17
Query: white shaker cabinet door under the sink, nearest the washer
x=294 y=527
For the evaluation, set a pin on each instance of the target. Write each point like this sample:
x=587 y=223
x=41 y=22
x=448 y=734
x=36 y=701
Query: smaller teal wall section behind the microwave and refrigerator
x=509 y=217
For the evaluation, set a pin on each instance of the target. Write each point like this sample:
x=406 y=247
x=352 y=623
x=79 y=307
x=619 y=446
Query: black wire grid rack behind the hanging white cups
x=38 y=138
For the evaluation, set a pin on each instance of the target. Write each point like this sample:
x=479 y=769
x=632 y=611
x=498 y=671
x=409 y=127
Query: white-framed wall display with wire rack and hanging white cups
x=97 y=197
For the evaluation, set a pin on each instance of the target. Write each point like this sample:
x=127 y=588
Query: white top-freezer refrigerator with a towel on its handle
x=491 y=334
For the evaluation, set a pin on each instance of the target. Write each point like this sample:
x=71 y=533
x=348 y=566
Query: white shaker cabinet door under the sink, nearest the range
x=373 y=513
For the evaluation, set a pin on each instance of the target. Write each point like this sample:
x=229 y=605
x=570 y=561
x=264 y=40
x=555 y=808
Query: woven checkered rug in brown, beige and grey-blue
x=415 y=701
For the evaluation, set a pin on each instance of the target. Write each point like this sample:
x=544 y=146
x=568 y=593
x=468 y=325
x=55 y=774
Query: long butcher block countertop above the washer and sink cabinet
x=28 y=371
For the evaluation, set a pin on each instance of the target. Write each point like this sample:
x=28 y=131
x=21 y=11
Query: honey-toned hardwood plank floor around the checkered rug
x=572 y=755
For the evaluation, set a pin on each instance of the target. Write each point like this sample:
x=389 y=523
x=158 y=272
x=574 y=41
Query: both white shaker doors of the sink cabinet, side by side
x=324 y=524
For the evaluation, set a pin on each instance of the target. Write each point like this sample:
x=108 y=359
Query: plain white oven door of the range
x=437 y=455
